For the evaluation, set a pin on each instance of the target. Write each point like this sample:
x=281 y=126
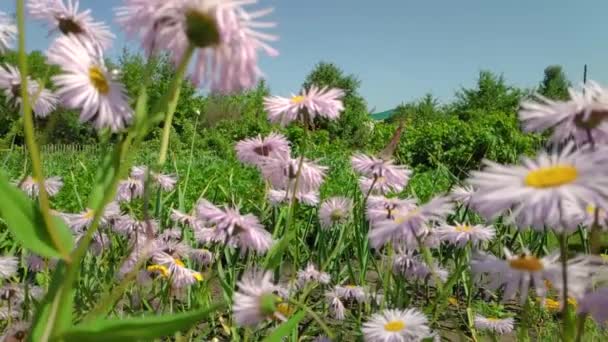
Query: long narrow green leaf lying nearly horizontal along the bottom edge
x=140 y=328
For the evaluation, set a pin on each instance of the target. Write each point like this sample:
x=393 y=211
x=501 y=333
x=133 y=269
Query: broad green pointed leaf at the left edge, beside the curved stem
x=25 y=221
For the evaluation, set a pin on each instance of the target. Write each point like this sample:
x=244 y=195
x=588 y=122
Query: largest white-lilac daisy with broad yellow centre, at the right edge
x=536 y=192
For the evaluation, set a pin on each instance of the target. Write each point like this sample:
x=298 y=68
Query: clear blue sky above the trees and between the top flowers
x=402 y=49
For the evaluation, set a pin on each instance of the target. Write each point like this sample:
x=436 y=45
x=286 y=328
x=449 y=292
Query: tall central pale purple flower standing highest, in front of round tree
x=311 y=103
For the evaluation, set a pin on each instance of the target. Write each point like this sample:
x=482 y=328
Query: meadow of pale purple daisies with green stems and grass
x=133 y=248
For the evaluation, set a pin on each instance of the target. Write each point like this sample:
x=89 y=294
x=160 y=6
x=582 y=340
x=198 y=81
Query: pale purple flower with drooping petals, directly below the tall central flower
x=282 y=171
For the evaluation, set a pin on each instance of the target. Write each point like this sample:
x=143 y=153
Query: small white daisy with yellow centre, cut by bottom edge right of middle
x=396 y=326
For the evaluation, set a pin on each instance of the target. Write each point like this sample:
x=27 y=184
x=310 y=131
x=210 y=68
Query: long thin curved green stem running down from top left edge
x=28 y=123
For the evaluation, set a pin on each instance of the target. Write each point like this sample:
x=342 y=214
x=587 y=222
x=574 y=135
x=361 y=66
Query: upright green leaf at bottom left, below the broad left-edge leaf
x=52 y=315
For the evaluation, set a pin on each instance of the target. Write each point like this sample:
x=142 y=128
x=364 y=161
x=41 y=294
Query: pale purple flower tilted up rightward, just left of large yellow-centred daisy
x=410 y=226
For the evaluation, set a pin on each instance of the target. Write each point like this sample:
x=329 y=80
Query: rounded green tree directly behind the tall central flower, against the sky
x=352 y=123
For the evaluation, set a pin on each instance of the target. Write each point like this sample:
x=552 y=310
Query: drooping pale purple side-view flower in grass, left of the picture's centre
x=245 y=231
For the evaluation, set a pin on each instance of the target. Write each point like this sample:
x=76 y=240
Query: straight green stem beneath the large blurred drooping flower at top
x=174 y=92
